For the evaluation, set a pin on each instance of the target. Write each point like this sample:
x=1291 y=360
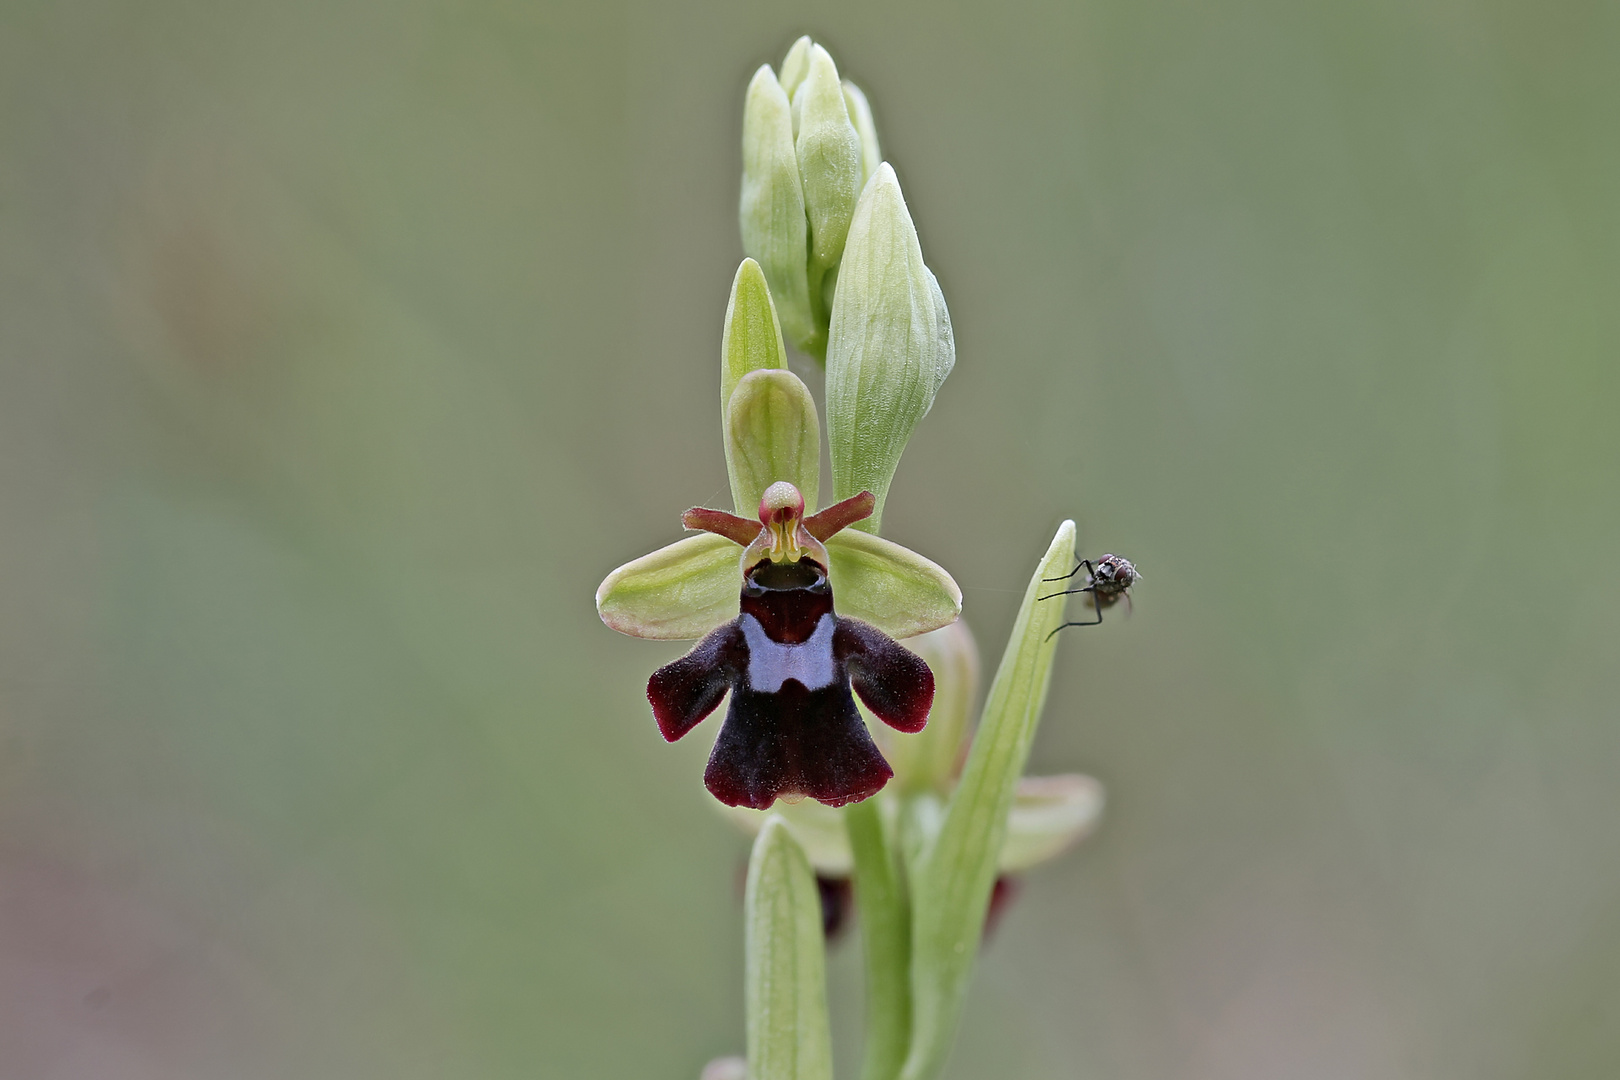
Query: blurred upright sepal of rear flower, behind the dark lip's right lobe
x=926 y=762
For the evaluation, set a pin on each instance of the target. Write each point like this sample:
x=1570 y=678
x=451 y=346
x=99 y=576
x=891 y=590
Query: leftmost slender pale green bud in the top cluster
x=772 y=215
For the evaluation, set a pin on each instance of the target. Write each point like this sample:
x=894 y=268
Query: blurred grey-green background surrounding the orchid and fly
x=344 y=349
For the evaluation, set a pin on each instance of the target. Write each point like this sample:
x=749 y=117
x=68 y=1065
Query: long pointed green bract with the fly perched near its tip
x=953 y=877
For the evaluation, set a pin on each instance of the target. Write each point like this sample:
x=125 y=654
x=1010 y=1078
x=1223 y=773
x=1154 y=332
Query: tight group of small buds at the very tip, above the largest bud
x=809 y=147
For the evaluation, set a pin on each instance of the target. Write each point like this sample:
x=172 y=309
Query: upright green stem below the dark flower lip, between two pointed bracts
x=885 y=938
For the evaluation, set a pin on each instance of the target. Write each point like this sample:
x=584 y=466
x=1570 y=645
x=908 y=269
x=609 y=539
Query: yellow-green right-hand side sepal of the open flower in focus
x=892 y=587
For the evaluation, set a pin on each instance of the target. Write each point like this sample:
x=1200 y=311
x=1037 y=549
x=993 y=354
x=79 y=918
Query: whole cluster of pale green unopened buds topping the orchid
x=825 y=219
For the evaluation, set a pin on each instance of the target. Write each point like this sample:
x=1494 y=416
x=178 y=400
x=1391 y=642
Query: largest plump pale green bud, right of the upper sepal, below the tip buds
x=890 y=346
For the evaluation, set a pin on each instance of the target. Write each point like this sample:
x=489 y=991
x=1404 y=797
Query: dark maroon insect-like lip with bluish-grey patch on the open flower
x=791 y=666
